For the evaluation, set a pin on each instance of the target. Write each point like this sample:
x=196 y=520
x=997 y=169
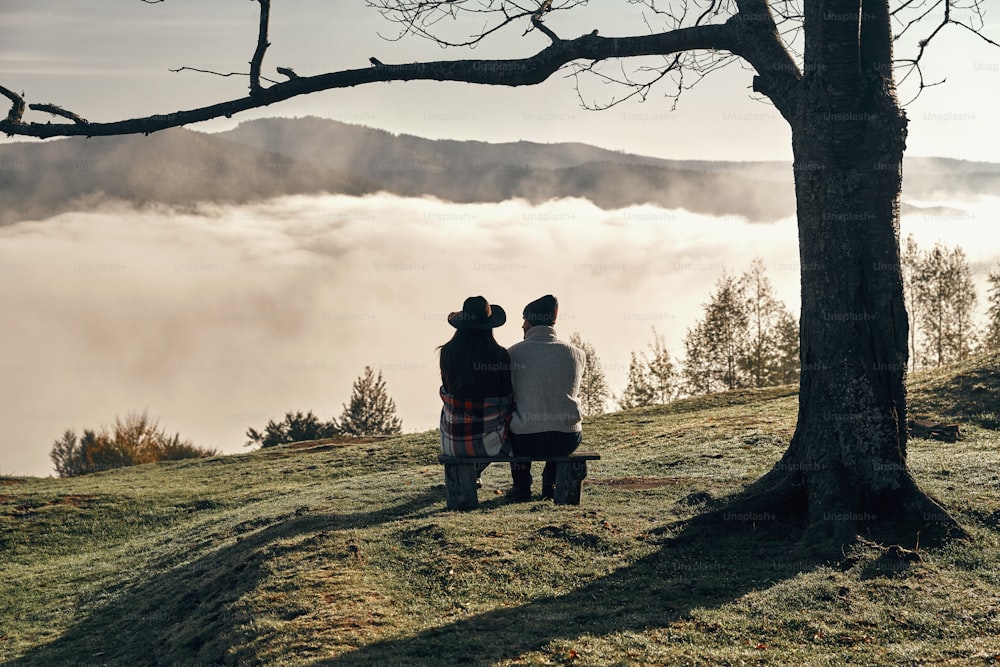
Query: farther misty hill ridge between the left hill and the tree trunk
x=475 y=171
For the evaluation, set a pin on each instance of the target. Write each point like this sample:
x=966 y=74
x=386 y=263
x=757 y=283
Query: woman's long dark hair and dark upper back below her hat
x=474 y=365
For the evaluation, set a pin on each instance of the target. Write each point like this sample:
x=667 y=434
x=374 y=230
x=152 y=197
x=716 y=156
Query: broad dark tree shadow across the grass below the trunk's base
x=702 y=567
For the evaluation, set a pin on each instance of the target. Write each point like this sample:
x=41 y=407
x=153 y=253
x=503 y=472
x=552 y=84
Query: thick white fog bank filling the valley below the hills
x=219 y=318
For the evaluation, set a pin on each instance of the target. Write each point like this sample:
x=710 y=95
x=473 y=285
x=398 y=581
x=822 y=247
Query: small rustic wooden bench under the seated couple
x=460 y=476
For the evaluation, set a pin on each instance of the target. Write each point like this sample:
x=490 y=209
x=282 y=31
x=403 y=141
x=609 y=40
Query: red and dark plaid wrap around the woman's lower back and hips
x=475 y=427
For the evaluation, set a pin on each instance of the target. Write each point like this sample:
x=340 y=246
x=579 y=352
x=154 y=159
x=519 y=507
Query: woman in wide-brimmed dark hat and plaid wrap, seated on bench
x=476 y=390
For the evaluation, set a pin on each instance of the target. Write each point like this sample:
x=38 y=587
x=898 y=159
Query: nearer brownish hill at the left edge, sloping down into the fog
x=175 y=167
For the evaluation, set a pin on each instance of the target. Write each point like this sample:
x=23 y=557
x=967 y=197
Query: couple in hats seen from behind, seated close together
x=521 y=401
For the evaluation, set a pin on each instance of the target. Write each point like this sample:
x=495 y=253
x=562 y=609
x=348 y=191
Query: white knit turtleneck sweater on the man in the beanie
x=546 y=374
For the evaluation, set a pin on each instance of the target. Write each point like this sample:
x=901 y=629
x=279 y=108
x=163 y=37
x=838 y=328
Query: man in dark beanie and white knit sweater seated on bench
x=546 y=374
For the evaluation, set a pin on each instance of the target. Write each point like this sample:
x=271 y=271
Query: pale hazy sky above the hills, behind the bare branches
x=106 y=60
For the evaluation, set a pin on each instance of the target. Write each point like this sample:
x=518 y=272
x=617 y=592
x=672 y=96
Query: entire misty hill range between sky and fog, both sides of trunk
x=277 y=156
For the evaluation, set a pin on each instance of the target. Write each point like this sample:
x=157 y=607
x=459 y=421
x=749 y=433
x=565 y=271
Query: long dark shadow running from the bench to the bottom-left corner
x=181 y=614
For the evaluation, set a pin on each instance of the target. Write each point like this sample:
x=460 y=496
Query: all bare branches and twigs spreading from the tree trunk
x=764 y=33
